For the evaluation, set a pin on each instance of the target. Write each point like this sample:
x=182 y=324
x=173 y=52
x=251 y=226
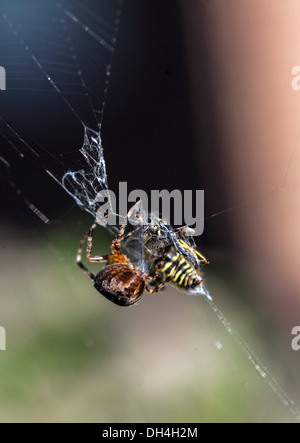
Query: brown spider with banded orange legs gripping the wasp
x=120 y=281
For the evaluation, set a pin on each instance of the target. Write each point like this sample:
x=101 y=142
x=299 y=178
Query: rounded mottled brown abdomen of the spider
x=120 y=283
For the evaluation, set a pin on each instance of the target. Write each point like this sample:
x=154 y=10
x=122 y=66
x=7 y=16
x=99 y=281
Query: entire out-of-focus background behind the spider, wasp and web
x=199 y=97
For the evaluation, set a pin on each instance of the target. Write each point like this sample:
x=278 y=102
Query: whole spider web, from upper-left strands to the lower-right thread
x=49 y=59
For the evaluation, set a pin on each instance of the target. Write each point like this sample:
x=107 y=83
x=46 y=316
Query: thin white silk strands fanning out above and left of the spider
x=43 y=67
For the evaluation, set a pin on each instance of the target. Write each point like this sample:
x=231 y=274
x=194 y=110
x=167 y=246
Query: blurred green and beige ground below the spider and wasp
x=73 y=356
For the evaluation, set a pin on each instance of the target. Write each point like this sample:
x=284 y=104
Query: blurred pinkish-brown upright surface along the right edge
x=250 y=48
